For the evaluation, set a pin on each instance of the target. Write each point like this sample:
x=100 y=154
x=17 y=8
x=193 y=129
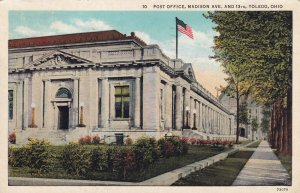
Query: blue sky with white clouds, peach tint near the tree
x=154 y=27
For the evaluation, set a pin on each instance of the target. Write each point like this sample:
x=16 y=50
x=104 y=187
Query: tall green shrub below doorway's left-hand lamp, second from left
x=38 y=155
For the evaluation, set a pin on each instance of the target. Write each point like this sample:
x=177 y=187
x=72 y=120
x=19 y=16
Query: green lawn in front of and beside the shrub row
x=195 y=153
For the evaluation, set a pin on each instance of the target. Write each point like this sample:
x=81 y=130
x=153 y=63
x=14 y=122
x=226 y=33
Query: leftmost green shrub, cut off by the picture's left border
x=17 y=157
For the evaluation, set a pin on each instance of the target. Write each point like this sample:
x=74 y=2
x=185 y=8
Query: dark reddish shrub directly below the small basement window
x=123 y=161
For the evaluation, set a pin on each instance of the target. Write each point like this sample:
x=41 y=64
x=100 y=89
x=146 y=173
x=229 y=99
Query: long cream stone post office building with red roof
x=66 y=86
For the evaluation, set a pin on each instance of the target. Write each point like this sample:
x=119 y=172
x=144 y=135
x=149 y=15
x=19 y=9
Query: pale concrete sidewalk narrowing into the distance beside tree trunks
x=263 y=169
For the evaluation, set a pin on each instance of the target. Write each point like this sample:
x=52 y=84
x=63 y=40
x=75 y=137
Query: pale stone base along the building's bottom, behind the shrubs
x=109 y=136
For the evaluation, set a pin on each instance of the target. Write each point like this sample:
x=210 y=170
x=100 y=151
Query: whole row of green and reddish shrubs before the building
x=80 y=159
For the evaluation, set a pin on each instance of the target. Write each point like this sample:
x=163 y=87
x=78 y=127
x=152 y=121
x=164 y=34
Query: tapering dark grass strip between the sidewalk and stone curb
x=222 y=173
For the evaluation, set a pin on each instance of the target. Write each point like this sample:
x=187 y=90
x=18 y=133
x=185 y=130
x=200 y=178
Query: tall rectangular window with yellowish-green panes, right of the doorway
x=122 y=100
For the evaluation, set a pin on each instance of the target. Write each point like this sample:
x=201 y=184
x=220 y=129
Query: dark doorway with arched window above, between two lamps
x=63 y=97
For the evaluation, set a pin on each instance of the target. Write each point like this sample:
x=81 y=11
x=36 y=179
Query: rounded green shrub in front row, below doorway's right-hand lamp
x=75 y=159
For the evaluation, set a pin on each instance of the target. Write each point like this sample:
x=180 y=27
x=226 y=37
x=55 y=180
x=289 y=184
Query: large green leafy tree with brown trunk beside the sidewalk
x=255 y=50
